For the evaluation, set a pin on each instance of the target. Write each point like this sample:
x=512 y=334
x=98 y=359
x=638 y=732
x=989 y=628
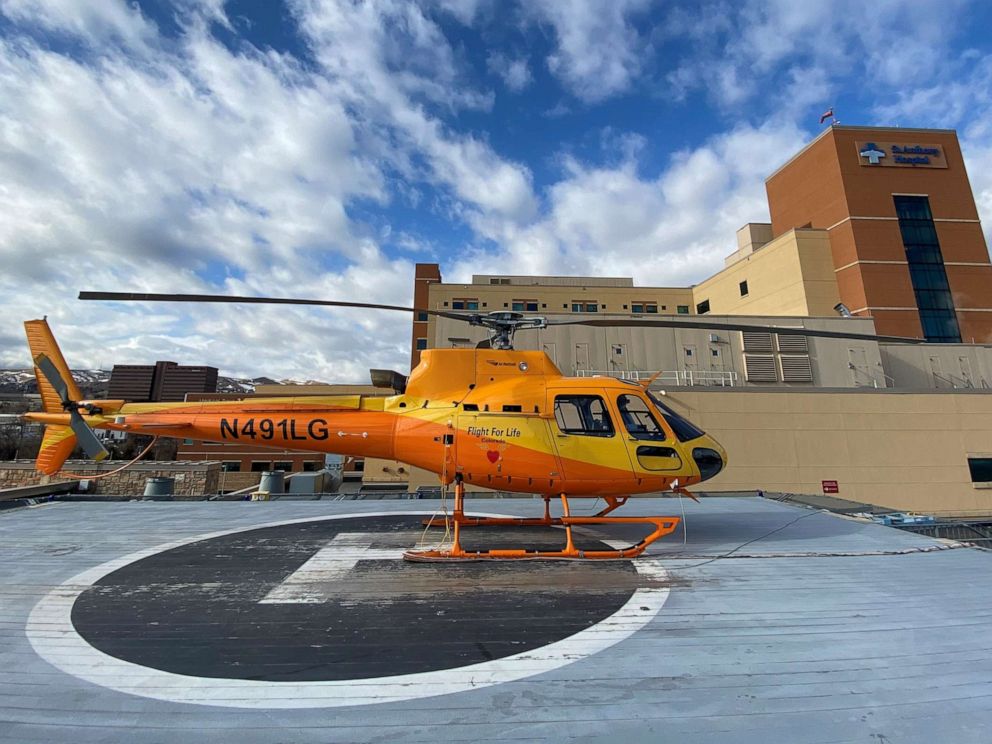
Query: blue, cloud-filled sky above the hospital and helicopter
x=320 y=149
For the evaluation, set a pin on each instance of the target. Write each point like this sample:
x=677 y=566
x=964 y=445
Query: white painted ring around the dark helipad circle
x=51 y=632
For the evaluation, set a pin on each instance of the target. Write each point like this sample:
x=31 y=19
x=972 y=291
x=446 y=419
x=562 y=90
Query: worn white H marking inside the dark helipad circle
x=309 y=583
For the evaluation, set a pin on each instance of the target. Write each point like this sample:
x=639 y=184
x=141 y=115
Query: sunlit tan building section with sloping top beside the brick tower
x=791 y=275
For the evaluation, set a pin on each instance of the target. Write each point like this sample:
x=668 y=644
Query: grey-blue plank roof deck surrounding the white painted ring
x=823 y=629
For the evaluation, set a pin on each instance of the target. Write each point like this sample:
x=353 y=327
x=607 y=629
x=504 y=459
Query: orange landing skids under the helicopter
x=662 y=526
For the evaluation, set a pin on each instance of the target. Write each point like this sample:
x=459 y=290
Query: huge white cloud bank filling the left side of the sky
x=179 y=165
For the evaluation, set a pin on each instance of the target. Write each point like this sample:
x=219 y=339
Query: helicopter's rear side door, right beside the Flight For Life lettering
x=589 y=444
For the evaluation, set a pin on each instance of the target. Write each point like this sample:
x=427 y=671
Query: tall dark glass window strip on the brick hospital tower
x=926 y=270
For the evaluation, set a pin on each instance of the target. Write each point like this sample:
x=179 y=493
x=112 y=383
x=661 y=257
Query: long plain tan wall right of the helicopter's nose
x=905 y=451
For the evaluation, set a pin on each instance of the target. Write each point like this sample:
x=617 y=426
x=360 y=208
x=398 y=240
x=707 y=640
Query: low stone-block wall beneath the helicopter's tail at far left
x=192 y=479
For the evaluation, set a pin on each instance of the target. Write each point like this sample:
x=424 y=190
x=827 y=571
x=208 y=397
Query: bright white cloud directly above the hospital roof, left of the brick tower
x=669 y=230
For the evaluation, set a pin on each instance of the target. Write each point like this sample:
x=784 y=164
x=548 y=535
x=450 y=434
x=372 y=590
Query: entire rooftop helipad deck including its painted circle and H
x=296 y=621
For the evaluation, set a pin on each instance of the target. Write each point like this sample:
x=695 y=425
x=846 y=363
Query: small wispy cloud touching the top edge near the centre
x=599 y=51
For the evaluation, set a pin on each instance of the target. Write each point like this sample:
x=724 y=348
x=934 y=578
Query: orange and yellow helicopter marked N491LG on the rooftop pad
x=490 y=416
